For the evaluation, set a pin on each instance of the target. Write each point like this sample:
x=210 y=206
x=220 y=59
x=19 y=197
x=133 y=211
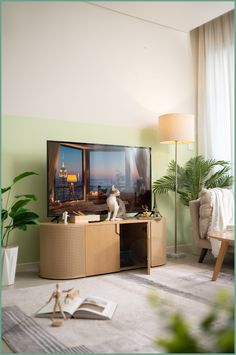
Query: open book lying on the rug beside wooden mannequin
x=90 y=307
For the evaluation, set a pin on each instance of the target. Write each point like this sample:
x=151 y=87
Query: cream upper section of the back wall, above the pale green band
x=77 y=62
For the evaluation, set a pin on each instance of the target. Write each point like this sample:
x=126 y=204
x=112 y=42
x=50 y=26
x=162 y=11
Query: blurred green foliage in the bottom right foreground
x=216 y=328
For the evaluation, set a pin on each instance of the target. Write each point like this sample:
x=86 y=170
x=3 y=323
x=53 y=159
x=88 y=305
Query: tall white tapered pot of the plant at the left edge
x=9 y=261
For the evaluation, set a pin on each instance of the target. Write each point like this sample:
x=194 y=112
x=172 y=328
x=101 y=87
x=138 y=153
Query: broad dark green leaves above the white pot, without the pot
x=16 y=215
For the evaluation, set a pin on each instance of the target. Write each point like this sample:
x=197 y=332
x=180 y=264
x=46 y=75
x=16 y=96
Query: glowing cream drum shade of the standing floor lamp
x=176 y=127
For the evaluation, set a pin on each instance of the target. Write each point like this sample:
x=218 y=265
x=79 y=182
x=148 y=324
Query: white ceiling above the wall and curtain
x=180 y=15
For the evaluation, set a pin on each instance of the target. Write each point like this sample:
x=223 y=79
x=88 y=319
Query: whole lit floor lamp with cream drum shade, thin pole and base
x=176 y=128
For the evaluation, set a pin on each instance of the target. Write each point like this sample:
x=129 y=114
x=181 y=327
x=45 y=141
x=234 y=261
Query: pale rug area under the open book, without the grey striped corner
x=135 y=324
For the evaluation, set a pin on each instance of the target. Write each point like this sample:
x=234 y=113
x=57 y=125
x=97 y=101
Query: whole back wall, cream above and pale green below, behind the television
x=108 y=74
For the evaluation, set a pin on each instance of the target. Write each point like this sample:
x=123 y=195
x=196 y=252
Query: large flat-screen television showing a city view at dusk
x=80 y=177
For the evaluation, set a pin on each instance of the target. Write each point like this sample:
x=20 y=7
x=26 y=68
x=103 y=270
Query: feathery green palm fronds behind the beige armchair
x=193 y=176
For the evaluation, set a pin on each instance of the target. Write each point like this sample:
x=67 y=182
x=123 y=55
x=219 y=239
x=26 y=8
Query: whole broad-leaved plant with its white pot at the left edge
x=14 y=216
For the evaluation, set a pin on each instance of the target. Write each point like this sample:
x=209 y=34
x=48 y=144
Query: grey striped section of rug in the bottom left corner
x=23 y=335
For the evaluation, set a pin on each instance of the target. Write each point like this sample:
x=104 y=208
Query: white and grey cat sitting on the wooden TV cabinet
x=115 y=205
